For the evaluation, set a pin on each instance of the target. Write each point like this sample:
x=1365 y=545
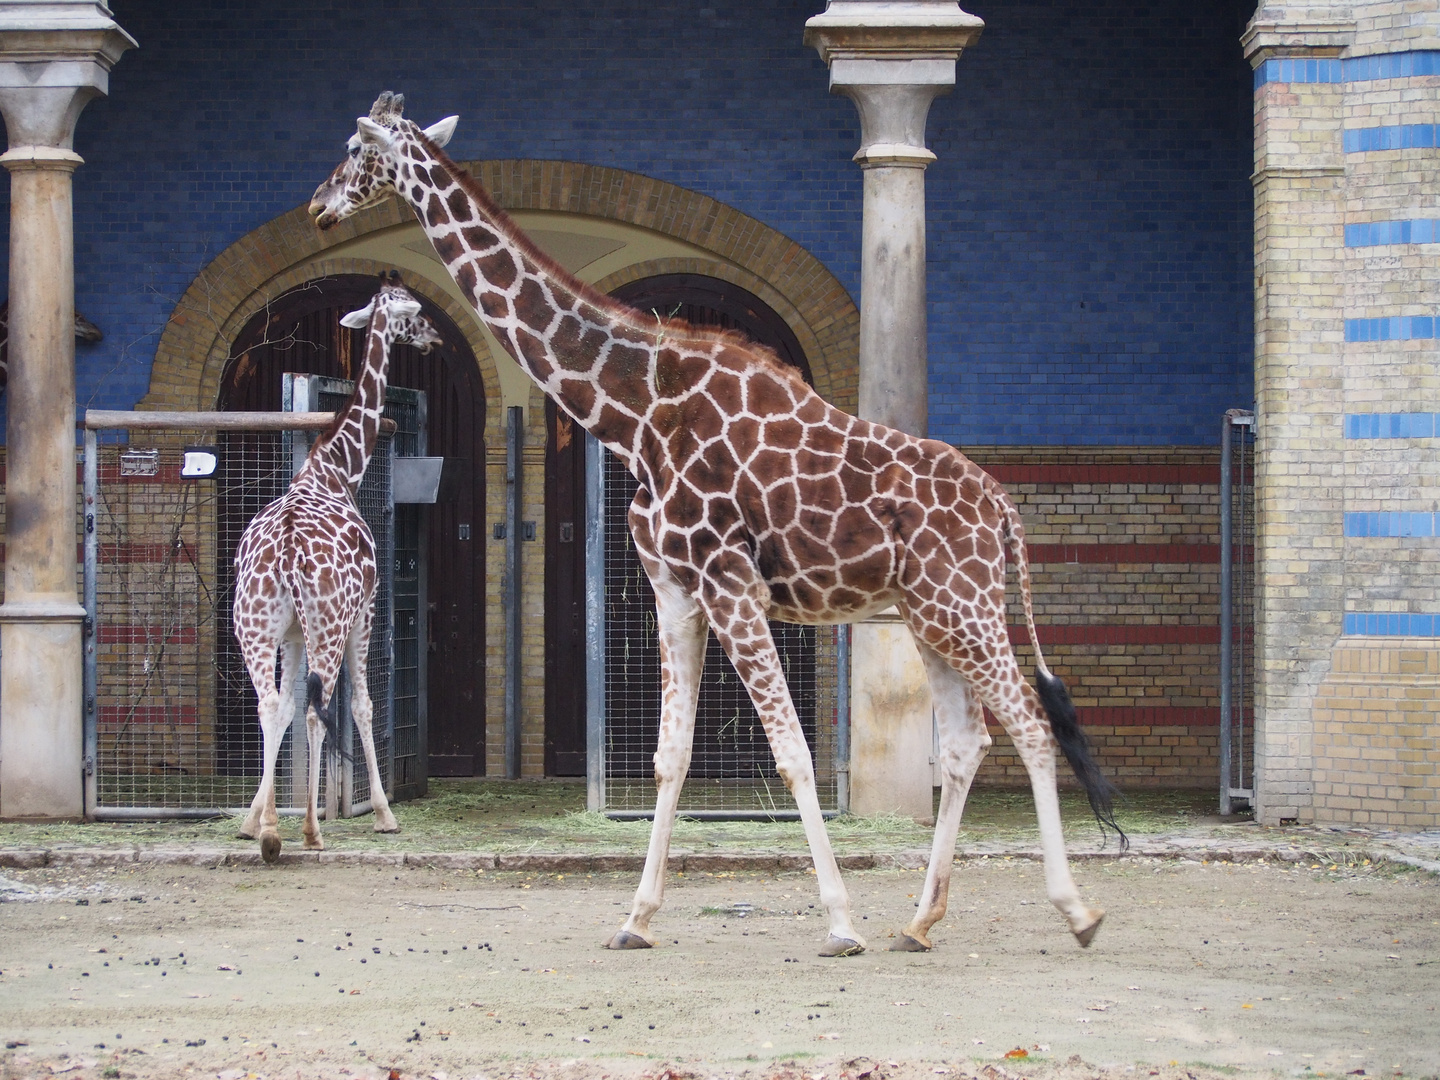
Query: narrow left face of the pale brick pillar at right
x=1300 y=207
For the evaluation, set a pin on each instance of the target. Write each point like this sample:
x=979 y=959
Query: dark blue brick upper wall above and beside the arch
x=1089 y=215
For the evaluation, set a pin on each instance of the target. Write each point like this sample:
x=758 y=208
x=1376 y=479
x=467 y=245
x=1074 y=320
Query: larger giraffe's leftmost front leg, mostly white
x=682 y=660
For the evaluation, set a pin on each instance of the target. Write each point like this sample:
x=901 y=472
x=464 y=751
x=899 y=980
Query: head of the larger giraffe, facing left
x=374 y=161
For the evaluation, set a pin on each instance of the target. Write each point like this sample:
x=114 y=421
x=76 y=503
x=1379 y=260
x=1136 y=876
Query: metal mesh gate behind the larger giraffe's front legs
x=732 y=771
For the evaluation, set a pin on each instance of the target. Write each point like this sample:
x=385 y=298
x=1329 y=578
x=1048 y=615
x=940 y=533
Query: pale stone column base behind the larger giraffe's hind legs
x=891 y=722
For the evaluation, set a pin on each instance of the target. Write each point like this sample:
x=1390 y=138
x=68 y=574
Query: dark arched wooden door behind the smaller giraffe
x=302 y=333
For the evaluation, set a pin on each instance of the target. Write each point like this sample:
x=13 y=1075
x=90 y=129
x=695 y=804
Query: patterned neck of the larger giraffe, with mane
x=594 y=355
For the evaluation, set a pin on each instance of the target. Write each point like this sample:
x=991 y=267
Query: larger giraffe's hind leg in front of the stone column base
x=964 y=742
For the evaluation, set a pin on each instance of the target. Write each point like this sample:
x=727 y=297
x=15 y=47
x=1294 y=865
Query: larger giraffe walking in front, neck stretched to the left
x=757 y=500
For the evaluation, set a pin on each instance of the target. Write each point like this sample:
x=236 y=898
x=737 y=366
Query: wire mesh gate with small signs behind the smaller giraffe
x=171 y=725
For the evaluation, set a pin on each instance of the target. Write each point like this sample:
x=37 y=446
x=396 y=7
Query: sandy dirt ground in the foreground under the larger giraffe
x=315 y=971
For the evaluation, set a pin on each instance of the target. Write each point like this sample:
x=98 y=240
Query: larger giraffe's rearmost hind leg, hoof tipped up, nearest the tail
x=1019 y=709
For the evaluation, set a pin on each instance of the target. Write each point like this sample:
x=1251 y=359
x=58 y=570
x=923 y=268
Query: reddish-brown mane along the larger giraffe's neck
x=644 y=322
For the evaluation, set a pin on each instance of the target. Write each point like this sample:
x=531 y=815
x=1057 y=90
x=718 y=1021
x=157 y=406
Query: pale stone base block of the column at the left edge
x=42 y=768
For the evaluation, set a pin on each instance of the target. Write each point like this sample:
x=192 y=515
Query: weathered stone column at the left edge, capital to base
x=54 y=58
